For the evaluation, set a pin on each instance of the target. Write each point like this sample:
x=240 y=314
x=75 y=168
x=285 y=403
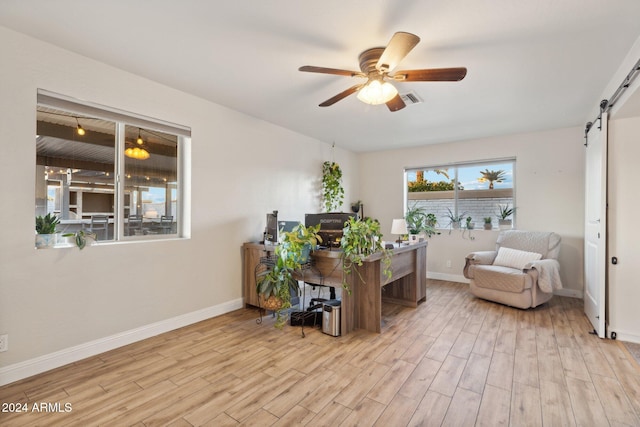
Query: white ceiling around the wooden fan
x=532 y=64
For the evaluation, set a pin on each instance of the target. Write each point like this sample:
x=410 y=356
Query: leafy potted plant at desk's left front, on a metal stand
x=276 y=284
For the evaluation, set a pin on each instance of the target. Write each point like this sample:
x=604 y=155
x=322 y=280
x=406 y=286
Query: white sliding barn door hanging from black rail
x=595 y=256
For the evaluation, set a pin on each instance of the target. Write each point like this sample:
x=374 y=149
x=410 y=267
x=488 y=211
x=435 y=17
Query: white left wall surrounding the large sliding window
x=62 y=303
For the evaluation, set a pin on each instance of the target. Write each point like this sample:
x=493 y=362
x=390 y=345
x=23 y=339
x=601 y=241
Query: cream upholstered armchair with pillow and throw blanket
x=522 y=272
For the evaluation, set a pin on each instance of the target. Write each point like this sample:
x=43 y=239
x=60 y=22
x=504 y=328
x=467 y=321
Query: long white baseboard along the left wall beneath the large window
x=21 y=370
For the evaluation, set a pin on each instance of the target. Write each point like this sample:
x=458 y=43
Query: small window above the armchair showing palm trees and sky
x=470 y=190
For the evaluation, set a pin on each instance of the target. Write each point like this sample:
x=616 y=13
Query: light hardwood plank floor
x=453 y=361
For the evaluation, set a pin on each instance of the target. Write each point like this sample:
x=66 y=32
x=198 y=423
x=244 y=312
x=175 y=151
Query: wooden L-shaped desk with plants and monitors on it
x=362 y=309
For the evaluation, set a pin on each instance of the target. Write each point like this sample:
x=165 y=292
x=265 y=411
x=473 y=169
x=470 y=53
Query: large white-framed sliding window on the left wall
x=94 y=162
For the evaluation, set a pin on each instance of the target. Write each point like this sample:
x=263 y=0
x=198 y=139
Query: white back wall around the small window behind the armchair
x=549 y=194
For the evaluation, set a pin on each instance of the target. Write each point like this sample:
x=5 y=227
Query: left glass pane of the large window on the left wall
x=75 y=171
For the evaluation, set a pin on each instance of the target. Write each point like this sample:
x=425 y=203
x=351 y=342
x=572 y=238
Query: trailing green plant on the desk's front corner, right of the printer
x=361 y=238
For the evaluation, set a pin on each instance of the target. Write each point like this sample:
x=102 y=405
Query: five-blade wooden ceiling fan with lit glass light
x=377 y=65
